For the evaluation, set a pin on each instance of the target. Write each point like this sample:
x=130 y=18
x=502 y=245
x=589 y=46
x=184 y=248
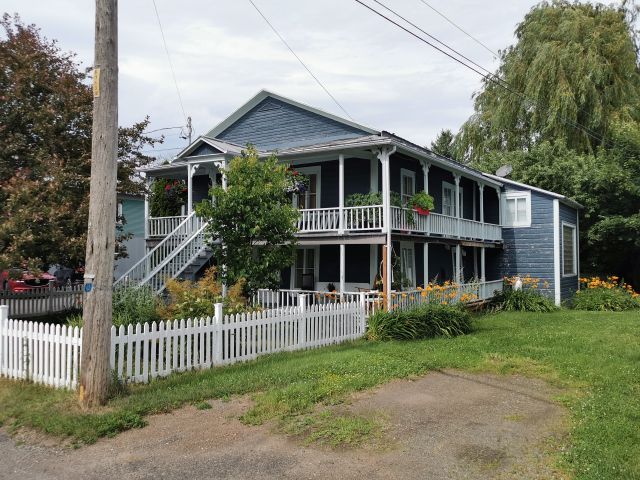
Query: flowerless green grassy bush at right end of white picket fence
x=424 y=321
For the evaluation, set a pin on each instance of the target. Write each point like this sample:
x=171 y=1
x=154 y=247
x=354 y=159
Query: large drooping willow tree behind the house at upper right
x=573 y=64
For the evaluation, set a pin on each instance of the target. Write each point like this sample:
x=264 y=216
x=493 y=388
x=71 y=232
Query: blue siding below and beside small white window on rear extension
x=529 y=250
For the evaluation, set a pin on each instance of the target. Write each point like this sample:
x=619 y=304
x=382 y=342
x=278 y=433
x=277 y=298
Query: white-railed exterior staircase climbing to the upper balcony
x=180 y=254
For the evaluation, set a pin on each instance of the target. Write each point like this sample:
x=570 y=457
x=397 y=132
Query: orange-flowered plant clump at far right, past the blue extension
x=610 y=294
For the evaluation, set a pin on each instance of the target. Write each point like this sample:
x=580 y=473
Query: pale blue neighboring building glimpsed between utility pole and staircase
x=131 y=211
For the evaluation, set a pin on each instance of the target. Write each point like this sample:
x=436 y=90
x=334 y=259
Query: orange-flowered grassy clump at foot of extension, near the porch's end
x=523 y=294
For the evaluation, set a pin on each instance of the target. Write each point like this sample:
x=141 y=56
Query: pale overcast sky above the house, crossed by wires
x=223 y=53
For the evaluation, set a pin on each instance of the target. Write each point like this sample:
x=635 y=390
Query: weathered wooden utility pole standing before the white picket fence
x=95 y=374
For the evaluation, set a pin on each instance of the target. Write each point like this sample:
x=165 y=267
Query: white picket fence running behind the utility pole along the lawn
x=50 y=354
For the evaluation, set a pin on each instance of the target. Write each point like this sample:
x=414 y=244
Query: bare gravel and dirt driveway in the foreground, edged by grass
x=443 y=425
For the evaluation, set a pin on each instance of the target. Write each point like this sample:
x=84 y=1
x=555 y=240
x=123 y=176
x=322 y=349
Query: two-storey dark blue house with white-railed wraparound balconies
x=483 y=227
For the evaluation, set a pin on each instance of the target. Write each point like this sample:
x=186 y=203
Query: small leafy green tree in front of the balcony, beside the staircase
x=255 y=221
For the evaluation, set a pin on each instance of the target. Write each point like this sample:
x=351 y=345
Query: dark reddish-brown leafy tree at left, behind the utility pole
x=45 y=150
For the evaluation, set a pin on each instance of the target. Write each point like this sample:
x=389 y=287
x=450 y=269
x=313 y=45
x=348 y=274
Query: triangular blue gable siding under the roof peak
x=273 y=125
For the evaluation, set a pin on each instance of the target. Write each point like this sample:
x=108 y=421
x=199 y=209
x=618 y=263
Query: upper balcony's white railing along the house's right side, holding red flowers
x=407 y=220
